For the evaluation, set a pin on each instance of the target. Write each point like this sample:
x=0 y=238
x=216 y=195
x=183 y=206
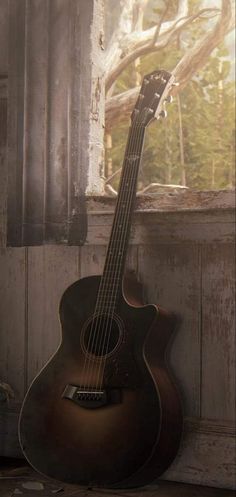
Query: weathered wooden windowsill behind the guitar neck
x=186 y=217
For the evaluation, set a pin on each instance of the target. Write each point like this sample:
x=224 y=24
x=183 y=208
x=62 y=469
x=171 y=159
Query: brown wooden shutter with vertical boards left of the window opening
x=51 y=78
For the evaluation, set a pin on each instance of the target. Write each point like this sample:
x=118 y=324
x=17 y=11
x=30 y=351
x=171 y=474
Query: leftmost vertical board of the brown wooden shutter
x=16 y=70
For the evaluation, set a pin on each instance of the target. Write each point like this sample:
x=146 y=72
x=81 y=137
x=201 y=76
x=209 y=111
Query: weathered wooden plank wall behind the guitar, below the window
x=185 y=260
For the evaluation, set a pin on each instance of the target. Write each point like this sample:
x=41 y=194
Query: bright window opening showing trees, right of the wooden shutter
x=194 y=147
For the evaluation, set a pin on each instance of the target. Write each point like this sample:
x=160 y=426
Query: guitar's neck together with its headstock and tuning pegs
x=153 y=93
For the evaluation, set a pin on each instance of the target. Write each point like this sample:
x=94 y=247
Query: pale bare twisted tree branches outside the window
x=127 y=44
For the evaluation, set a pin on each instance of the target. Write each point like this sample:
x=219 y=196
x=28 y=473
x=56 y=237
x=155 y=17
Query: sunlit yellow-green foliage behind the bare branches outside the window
x=208 y=122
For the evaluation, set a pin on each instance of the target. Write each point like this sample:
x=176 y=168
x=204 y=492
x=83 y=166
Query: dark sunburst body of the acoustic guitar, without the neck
x=130 y=434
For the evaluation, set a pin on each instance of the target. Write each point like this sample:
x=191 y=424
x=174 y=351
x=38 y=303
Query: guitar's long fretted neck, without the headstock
x=111 y=281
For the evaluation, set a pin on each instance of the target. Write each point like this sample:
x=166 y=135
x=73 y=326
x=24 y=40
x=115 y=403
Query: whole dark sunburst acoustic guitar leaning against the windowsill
x=104 y=411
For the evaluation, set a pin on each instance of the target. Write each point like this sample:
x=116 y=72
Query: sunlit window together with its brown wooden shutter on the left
x=56 y=107
